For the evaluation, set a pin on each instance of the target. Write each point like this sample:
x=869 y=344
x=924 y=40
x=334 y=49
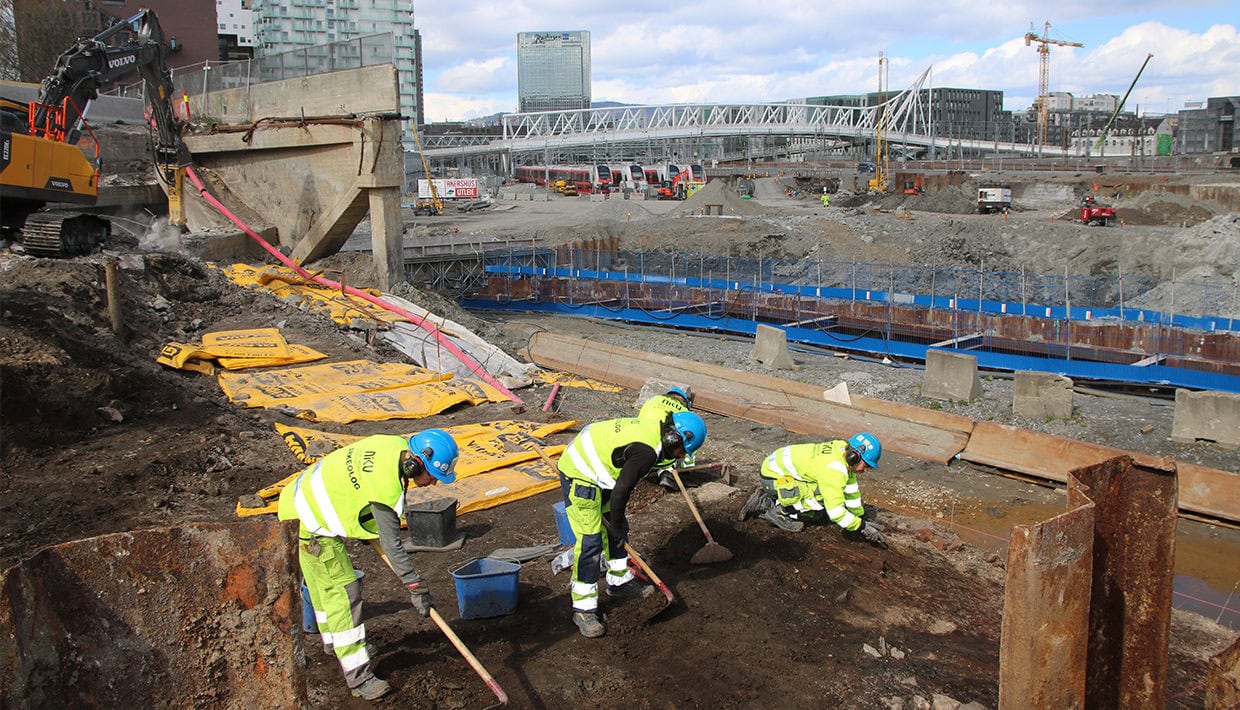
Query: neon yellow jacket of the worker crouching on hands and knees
x=817 y=478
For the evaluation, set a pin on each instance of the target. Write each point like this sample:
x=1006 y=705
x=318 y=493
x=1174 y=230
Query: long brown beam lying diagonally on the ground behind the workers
x=906 y=429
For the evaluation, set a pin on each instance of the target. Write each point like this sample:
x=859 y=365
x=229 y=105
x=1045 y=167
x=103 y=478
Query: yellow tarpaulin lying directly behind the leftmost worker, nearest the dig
x=504 y=455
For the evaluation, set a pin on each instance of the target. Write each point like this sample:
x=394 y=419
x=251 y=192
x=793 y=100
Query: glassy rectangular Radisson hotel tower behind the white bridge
x=554 y=71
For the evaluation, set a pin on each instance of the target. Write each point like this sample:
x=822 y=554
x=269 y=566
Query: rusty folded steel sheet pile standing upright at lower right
x=1112 y=556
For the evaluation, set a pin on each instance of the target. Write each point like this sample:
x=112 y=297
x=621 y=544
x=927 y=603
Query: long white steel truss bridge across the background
x=906 y=120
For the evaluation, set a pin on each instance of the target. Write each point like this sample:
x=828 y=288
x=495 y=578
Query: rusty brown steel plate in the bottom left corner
x=193 y=616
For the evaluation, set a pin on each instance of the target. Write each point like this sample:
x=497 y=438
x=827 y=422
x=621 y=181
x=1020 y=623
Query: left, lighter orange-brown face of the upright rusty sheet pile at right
x=1045 y=640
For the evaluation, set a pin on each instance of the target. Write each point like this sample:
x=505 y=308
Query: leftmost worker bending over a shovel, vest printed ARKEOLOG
x=358 y=493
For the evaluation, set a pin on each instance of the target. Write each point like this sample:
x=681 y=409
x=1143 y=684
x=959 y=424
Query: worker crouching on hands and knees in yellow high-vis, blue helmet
x=818 y=484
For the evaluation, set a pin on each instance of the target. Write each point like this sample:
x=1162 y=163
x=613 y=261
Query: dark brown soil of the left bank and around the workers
x=783 y=625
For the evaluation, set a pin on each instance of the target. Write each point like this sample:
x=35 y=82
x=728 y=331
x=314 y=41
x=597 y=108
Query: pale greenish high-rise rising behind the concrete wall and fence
x=285 y=25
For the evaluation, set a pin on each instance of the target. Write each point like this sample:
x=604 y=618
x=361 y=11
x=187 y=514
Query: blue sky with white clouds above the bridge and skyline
x=728 y=51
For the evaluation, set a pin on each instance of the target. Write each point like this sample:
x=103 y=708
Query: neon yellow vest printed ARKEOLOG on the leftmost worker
x=333 y=499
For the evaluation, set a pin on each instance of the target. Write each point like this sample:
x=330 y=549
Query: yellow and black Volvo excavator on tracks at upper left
x=42 y=162
